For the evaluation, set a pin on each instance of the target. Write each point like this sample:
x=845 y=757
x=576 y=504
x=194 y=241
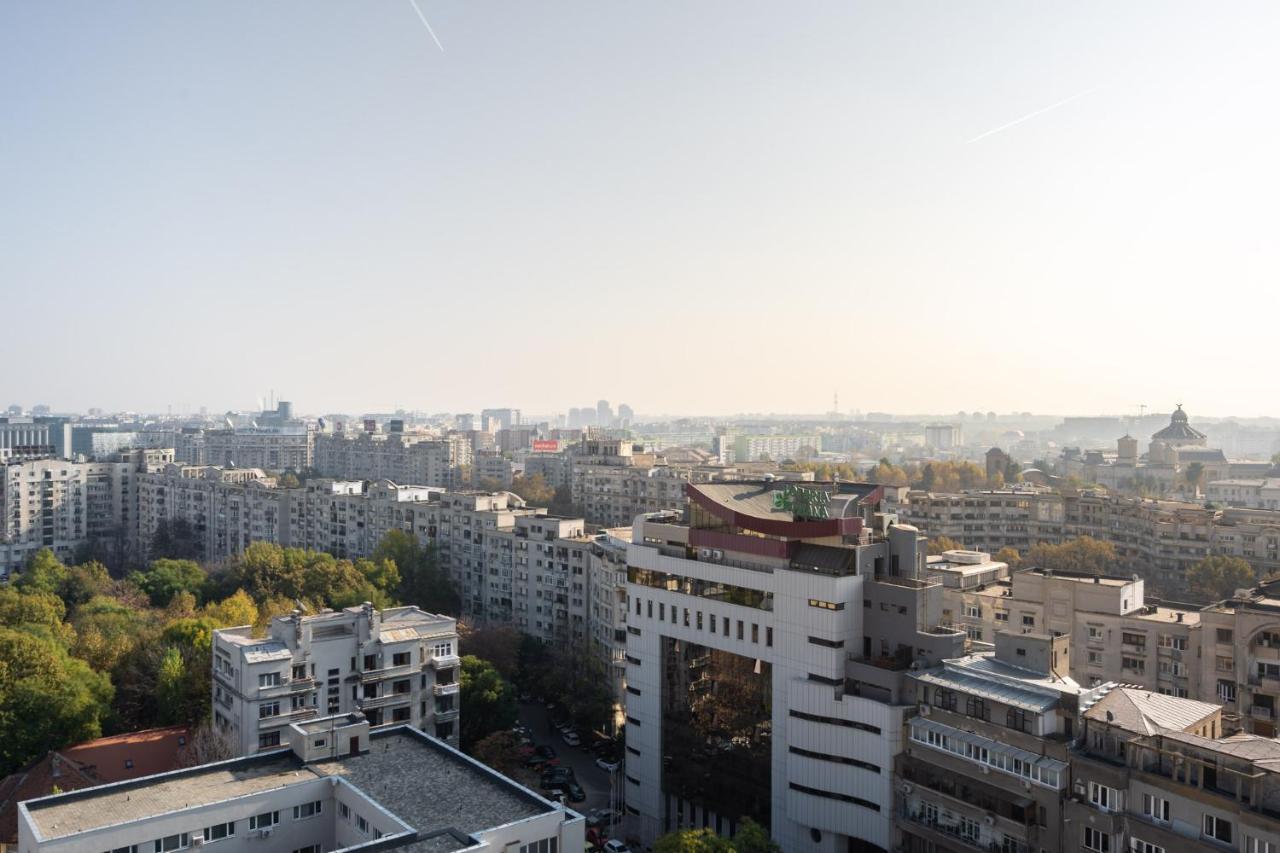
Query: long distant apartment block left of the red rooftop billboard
x=401 y=458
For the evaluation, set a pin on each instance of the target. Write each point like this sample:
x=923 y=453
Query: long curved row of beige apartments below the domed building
x=1159 y=539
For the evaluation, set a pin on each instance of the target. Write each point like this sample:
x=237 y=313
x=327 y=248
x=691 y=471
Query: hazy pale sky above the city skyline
x=689 y=207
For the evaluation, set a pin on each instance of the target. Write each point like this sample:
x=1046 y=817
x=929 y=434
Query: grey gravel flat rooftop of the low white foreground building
x=433 y=788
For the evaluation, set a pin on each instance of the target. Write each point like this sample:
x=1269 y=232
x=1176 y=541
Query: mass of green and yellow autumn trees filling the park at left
x=84 y=654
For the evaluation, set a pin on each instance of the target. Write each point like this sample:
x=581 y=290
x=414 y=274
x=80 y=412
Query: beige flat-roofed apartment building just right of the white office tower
x=1116 y=635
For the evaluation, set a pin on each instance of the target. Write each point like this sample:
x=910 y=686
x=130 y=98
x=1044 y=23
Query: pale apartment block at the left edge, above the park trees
x=62 y=505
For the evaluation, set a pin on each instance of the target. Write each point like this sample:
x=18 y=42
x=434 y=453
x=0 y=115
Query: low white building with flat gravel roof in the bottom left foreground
x=335 y=786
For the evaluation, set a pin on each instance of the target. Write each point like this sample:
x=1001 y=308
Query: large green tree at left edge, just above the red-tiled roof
x=48 y=699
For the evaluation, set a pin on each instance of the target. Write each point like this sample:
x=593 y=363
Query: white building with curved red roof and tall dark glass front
x=808 y=608
